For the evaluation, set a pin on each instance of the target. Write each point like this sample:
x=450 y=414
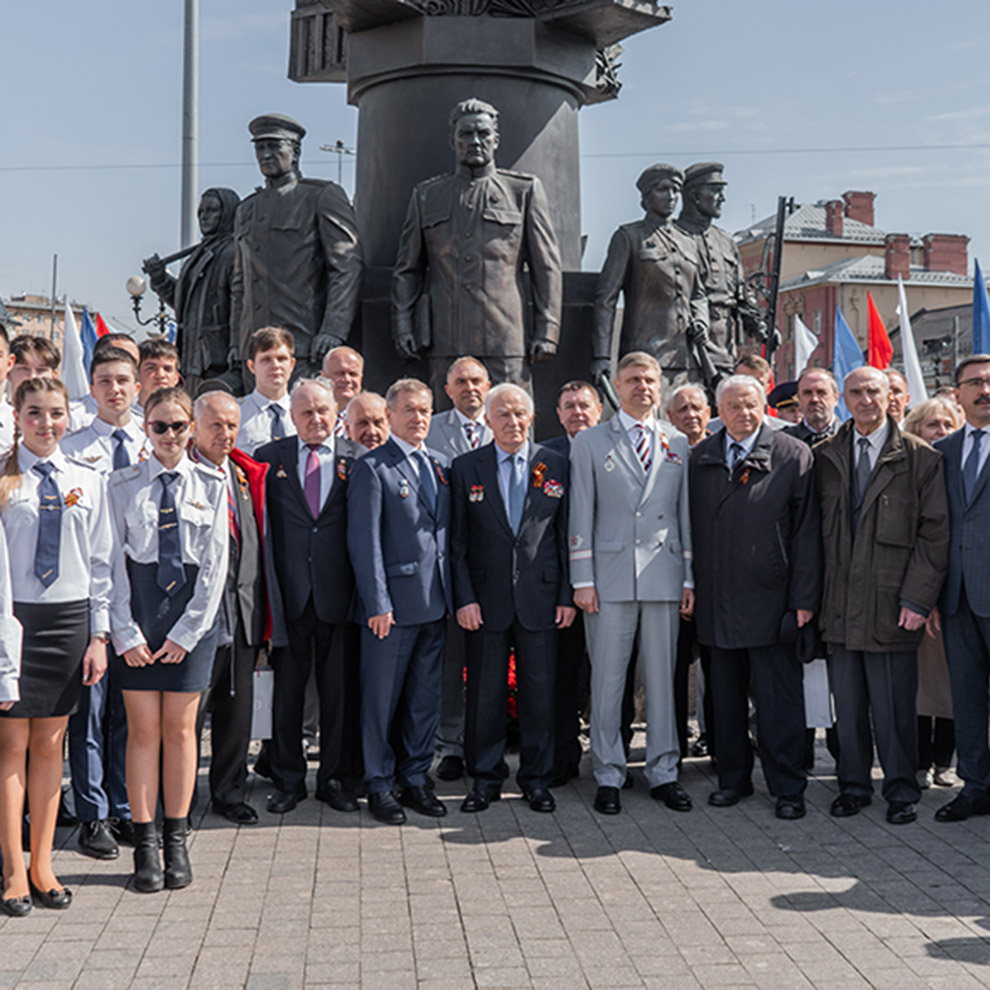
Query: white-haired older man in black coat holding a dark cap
x=757 y=557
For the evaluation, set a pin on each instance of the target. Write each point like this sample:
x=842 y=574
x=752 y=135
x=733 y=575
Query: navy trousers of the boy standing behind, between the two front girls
x=97 y=748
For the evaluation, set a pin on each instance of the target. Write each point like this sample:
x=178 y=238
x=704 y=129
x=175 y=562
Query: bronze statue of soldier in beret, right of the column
x=655 y=266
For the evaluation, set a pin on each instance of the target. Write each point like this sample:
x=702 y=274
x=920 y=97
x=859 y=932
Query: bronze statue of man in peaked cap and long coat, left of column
x=298 y=261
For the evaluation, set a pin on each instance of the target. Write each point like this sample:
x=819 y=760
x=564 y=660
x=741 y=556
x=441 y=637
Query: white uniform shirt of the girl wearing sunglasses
x=135 y=496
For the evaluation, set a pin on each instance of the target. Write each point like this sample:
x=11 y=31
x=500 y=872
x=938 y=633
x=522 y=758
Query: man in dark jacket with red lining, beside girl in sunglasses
x=244 y=611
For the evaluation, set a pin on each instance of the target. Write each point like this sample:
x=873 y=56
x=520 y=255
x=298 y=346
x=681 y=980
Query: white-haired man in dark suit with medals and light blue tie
x=508 y=551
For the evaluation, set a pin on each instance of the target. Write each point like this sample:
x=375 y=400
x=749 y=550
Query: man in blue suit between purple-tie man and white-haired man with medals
x=398 y=517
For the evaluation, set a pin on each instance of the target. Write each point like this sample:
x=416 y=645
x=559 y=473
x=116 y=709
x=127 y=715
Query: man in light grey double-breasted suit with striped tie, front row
x=630 y=559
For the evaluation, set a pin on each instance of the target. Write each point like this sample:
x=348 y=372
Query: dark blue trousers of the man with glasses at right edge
x=967 y=649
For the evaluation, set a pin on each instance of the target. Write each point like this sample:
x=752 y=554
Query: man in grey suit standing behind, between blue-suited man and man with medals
x=455 y=432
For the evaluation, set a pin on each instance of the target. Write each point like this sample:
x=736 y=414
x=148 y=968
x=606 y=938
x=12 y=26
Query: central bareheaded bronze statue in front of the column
x=465 y=241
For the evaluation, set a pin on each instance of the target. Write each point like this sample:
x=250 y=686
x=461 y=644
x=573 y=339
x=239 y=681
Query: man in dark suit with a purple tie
x=311 y=602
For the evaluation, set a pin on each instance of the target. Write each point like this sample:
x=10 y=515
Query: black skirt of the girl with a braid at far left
x=56 y=635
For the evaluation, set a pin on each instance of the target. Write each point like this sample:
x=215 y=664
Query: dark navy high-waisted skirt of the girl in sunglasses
x=156 y=613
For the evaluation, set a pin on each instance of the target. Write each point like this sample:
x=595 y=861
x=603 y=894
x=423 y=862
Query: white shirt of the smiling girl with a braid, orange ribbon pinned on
x=85 y=547
